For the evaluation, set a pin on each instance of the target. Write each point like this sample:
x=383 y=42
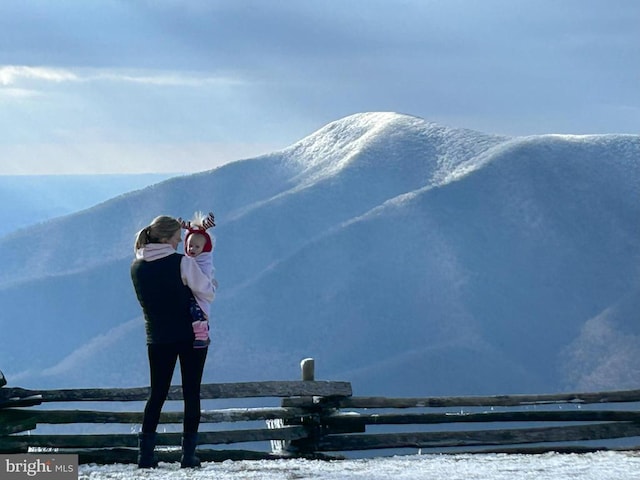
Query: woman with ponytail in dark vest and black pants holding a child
x=164 y=281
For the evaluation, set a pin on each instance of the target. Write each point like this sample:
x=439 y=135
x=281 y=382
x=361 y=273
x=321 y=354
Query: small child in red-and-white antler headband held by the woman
x=198 y=245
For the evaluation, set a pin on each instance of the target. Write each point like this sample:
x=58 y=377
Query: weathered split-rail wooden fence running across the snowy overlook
x=320 y=419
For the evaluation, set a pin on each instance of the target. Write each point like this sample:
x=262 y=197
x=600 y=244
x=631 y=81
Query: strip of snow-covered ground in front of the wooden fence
x=591 y=466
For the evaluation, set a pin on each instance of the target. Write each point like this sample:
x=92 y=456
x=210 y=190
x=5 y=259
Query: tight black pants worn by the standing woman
x=162 y=363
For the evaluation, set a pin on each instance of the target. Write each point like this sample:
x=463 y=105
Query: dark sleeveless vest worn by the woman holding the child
x=164 y=299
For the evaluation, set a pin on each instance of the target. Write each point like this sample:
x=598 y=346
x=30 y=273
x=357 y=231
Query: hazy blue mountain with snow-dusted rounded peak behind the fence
x=407 y=257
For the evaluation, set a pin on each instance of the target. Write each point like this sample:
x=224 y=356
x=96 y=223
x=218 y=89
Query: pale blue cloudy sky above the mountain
x=153 y=86
